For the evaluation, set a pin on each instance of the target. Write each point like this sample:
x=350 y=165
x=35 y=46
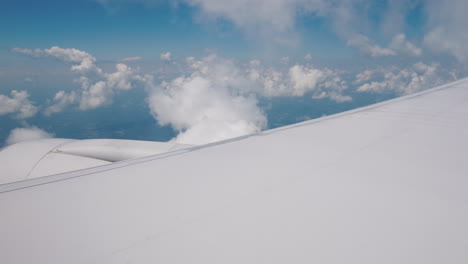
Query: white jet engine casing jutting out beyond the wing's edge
x=34 y=159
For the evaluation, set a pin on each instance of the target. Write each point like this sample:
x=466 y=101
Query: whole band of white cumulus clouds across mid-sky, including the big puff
x=215 y=98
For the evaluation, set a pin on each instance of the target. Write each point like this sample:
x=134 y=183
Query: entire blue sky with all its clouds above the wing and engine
x=203 y=70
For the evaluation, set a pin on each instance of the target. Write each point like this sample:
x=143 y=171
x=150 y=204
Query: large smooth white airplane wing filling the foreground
x=387 y=183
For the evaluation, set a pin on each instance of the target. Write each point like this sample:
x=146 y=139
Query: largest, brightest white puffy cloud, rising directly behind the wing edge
x=208 y=105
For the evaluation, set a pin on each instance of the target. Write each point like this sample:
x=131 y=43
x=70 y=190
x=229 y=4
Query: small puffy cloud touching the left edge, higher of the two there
x=17 y=103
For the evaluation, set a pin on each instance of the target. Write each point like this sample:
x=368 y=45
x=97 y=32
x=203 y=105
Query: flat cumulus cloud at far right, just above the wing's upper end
x=417 y=77
